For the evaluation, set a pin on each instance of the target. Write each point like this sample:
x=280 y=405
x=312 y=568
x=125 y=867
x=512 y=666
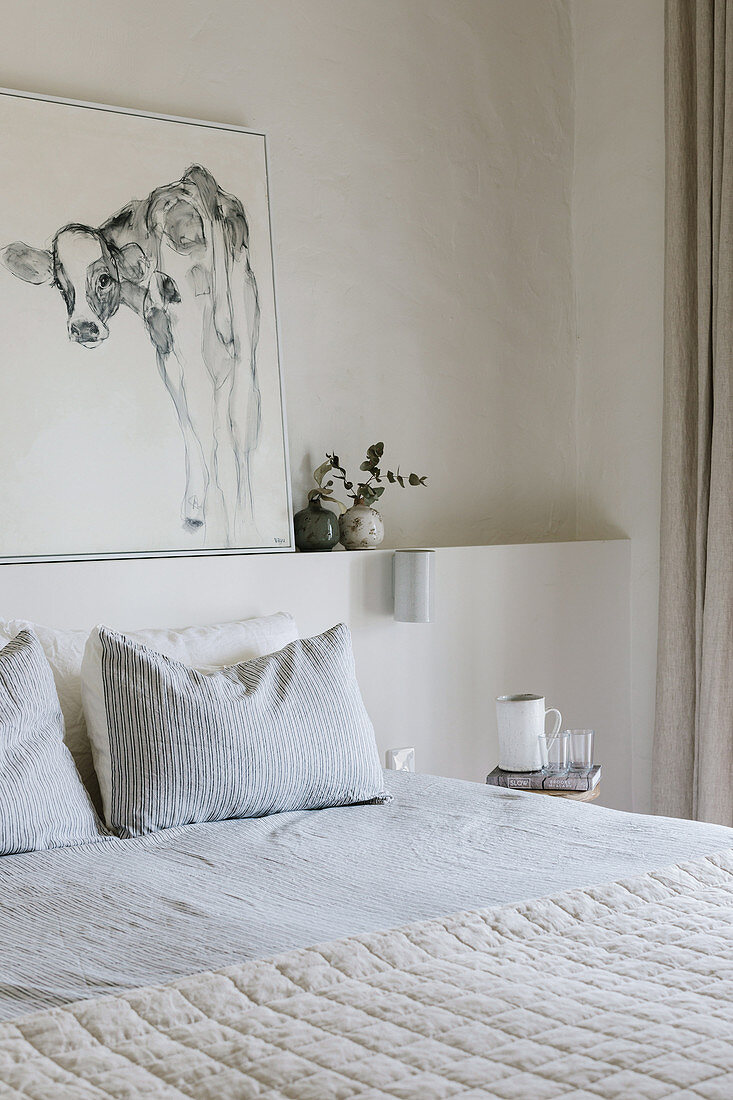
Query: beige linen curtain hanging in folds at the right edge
x=694 y=735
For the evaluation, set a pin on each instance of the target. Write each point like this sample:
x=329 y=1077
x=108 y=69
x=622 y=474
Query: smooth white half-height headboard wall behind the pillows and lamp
x=551 y=619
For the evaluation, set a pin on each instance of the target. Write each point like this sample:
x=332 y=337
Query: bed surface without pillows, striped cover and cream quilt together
x=243 y=903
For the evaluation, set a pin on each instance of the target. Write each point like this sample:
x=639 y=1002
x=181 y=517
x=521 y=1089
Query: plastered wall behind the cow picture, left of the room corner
x=420 y=171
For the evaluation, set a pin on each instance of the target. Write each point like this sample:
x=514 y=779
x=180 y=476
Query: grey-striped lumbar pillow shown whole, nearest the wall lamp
x=179 y=745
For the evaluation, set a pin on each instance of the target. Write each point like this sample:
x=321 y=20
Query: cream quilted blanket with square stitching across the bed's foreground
x=622 y=992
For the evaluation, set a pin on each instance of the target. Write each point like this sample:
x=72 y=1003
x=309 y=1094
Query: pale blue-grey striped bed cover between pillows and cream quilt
x=102 y=919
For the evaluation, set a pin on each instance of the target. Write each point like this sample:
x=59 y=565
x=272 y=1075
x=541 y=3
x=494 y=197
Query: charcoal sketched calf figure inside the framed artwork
x=180 y=260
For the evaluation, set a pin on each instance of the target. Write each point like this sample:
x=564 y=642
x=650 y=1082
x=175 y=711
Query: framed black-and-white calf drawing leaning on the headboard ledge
x=141 y=406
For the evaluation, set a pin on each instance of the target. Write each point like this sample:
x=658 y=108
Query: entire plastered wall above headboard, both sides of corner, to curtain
x=467 y=202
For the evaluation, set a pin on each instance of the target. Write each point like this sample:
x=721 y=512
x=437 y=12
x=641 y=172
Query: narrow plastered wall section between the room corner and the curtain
x=618 y=219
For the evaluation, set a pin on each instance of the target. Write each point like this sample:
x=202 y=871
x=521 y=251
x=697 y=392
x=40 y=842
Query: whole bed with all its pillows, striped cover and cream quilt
x=257 y=909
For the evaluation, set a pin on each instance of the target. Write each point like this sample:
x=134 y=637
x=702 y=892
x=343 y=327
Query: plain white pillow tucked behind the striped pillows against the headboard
x=198 y=646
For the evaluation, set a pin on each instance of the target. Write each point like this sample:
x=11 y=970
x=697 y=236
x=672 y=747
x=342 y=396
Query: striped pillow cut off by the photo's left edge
x=43 y=804
